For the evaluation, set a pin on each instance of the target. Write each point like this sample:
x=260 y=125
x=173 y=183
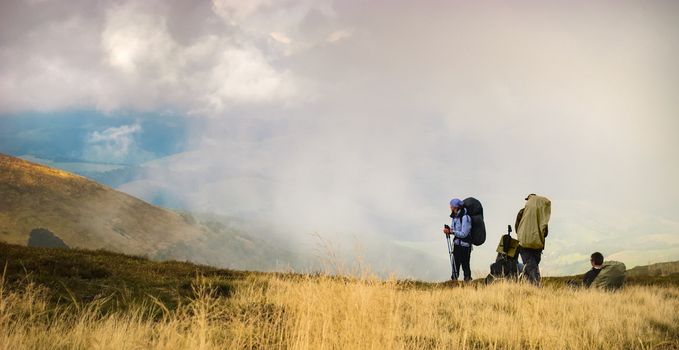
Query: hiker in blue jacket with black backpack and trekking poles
x=467 y=228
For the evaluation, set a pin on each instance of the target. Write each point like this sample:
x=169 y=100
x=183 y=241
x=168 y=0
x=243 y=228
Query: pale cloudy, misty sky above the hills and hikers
x=359 y=121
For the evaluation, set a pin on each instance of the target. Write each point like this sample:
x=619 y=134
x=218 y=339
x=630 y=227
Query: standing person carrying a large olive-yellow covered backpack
x=531 y=228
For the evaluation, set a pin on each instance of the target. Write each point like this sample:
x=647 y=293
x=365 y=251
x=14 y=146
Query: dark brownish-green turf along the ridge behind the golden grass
x=85 y=275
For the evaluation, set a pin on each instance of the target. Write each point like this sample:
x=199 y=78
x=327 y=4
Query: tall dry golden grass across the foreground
x=321 y=312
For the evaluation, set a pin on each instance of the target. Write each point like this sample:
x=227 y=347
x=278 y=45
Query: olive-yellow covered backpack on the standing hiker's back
x=532 y=228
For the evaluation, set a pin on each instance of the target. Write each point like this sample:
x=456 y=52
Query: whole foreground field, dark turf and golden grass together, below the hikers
x=78 y=299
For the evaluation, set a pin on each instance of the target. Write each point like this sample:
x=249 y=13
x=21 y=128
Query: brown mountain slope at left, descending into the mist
x=84 y=214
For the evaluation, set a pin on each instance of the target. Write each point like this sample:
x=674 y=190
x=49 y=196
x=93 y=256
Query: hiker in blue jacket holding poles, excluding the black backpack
x=460 y=229
